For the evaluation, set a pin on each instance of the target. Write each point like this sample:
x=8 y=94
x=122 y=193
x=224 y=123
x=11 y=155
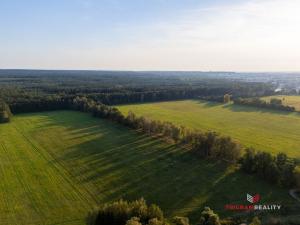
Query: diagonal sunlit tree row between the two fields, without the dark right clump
x=206 y=145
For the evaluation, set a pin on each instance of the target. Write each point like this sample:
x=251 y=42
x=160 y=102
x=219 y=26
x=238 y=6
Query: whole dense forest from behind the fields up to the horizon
x=21 y=86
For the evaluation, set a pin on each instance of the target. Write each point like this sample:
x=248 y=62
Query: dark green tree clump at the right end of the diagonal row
x=277 y=169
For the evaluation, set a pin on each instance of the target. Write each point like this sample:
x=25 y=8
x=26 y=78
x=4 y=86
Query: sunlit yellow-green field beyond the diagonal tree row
x=263 y=129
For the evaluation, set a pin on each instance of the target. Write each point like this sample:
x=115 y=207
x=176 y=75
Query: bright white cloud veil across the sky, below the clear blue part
x=255 y=35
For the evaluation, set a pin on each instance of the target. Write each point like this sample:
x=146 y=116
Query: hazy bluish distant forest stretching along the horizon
x=86 y=82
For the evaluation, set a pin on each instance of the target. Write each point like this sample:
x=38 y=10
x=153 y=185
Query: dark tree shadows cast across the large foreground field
x=119 y=163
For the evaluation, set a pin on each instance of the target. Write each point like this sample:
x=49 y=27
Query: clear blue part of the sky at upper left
x=62 y=20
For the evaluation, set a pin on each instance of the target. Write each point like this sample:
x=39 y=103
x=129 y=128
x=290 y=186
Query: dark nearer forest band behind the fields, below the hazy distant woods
x=26 y=101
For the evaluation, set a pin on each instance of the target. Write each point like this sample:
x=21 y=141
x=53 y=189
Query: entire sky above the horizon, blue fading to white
x=210 y=35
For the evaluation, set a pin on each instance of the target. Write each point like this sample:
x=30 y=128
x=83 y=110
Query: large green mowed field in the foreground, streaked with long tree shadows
x=56 y=166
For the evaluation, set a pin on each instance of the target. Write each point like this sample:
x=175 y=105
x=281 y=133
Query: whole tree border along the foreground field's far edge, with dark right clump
x=207 y=145
